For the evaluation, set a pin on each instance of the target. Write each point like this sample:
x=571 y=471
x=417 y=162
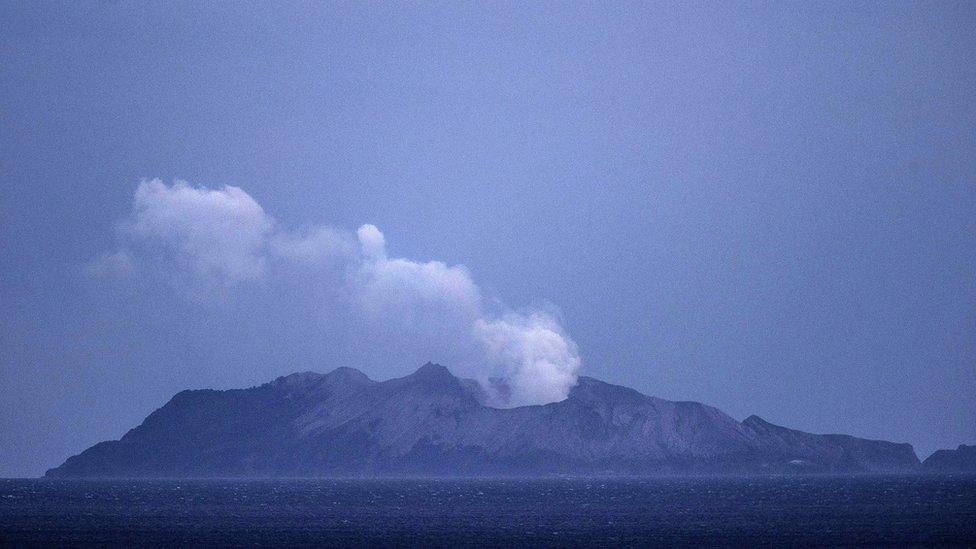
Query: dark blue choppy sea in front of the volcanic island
x=798 y=511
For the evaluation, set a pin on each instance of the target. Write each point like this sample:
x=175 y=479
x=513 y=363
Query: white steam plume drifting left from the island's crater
x=205 y=240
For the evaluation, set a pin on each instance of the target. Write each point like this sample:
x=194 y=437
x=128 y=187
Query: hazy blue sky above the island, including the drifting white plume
x=767 y=207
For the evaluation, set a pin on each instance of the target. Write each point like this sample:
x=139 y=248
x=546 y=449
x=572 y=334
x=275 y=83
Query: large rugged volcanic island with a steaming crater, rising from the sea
x=432 y=423
